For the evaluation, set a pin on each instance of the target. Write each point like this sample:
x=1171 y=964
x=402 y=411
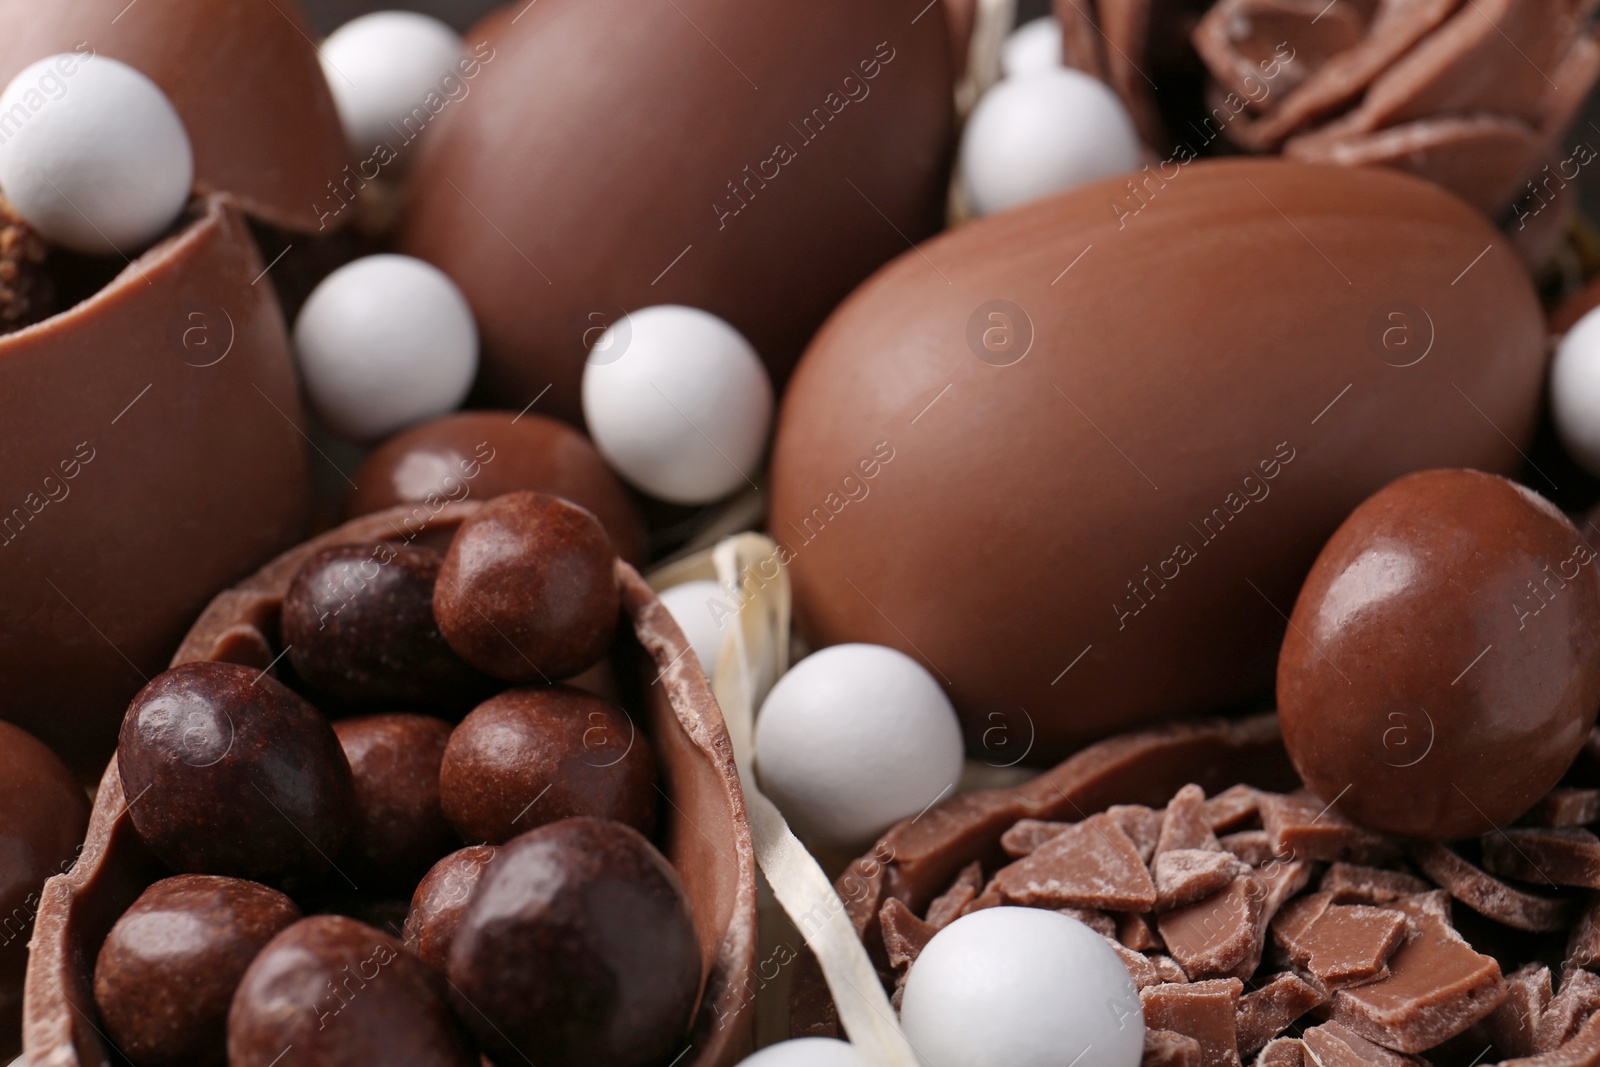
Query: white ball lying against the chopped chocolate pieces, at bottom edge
x=1022 y=988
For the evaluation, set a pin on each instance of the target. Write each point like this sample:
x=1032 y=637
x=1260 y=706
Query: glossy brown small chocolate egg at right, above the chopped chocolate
x=1442 y=666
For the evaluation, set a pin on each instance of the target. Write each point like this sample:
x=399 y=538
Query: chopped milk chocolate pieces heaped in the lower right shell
x=1268 y=925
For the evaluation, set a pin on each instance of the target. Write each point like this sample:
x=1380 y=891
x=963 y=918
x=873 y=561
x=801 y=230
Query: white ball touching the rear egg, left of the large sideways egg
x=679 y=404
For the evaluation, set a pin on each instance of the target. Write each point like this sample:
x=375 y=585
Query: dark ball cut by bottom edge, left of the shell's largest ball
x=342 y=994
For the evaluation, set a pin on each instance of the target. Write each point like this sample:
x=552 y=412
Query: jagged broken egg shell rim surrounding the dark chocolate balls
x=705 y=833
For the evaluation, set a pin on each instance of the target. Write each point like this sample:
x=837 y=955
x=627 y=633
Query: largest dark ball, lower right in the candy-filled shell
x=578 y=951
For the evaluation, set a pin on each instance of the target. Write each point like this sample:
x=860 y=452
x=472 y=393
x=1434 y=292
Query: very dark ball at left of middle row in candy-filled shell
x=230 y=773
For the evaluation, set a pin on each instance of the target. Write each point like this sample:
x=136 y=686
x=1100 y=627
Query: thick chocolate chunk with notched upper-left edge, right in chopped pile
x=1438 y=988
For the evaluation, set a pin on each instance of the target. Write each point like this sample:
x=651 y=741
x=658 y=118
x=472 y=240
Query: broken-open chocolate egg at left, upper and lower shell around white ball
x=153 y=442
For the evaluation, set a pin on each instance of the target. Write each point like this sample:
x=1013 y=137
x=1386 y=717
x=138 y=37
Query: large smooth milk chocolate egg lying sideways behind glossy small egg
x=1078 y=457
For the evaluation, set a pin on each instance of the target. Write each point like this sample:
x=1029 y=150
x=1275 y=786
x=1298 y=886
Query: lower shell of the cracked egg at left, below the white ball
x=156 y=455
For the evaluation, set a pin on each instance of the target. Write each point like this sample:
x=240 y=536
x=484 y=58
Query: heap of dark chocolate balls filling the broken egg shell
x=558 y=937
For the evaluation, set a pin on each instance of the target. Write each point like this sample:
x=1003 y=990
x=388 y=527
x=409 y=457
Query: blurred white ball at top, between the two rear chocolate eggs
x=382 y=70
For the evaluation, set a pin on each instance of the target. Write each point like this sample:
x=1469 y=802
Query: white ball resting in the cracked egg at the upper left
x=94 y=154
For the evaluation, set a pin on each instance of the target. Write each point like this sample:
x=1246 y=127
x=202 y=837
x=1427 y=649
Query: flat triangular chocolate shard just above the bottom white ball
x=1090 y=865
